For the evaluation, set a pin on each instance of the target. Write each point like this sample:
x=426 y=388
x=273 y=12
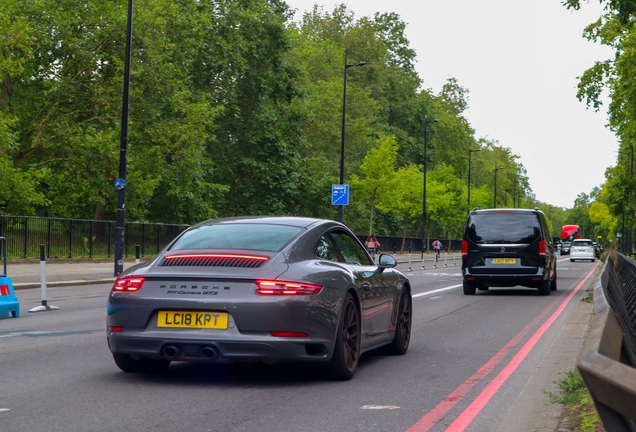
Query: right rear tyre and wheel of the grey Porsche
x=344 y=363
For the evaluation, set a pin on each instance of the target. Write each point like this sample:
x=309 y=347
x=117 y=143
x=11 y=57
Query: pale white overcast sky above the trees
x=520 y=62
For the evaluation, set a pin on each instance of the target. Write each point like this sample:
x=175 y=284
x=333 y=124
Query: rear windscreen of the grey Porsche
x=262 y=237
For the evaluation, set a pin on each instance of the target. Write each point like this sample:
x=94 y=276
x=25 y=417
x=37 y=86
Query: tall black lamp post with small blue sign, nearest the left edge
x=120 y=184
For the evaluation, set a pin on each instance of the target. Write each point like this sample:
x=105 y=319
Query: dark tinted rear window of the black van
x=503 y=228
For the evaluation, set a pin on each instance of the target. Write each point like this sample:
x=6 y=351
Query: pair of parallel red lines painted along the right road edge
x=467 y=416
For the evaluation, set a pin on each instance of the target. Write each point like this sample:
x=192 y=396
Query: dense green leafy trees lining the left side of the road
x=235 y=108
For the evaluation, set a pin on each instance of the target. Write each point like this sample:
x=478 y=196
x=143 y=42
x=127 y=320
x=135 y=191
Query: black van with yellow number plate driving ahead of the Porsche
x=508 y=247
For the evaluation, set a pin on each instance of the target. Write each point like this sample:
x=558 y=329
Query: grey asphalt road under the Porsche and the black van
x=469 y=359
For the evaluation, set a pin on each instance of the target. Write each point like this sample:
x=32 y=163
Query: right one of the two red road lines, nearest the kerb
x=468 y=415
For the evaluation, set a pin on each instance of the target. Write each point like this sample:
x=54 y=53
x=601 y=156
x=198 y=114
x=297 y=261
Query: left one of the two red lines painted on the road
x=433 y=416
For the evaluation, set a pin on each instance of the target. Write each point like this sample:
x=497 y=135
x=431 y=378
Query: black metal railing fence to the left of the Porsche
x=81 y=238
